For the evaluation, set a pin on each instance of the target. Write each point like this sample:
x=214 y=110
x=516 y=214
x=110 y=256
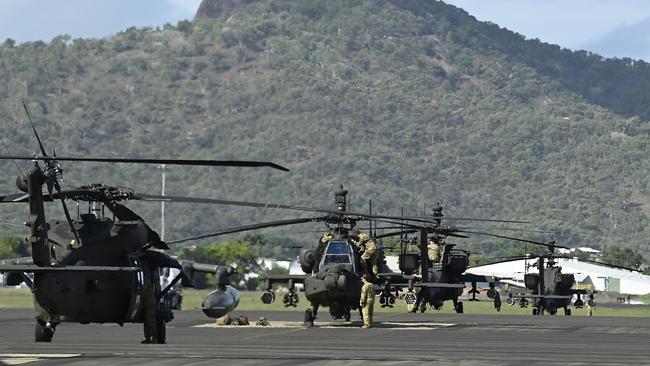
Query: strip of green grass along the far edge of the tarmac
x=250 y=300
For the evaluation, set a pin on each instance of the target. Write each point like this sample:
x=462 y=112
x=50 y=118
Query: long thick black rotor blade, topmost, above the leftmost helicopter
x=226 y=163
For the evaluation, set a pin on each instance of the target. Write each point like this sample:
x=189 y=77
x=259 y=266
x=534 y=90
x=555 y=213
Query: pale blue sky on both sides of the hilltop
x=609 y=27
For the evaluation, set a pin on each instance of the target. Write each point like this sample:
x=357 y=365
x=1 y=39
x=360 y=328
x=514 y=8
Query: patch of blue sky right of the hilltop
x=608 y=27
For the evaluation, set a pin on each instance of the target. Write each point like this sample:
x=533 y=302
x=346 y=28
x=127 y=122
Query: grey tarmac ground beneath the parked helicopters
x=397 y=339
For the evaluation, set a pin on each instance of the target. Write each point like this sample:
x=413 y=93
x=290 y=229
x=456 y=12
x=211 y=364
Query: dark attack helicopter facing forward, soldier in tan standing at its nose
x=333 y=269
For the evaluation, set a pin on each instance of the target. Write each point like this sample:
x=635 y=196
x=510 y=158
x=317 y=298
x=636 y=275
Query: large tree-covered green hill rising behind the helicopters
x=404 y=102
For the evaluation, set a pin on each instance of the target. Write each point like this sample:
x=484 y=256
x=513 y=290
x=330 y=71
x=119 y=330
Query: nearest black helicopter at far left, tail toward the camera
x=96 y=269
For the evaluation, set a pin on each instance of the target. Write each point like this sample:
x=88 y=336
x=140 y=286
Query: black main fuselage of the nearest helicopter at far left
x=94 y=296
